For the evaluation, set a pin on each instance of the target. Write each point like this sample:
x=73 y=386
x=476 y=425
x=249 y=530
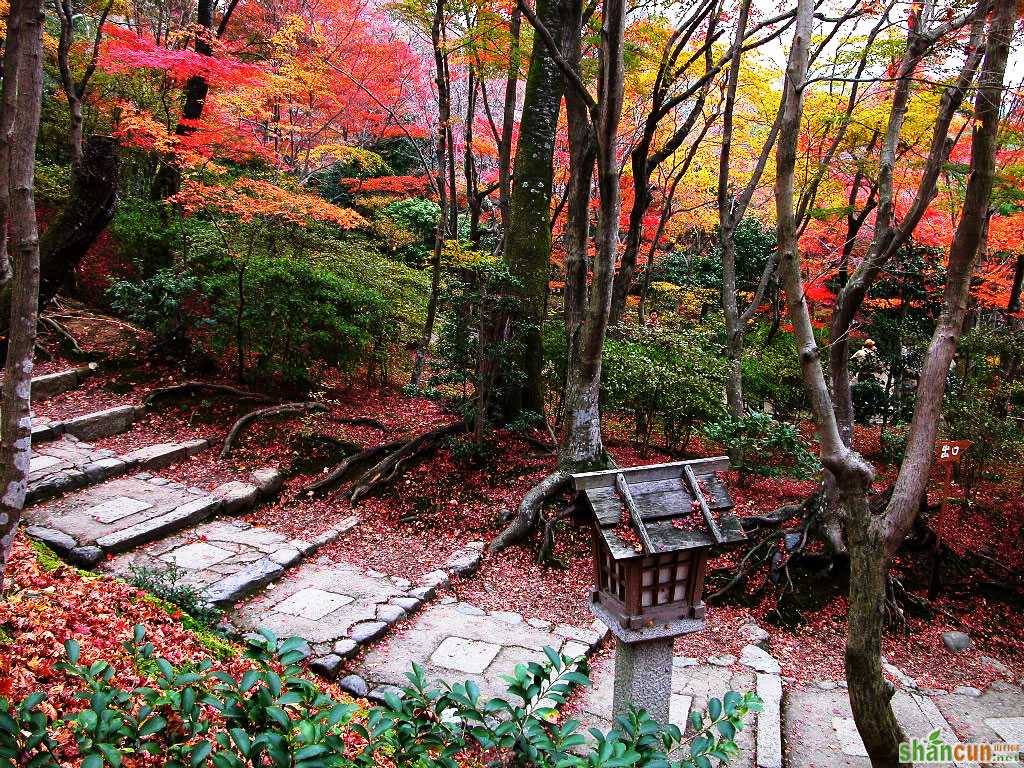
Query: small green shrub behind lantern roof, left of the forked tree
x=760 y=445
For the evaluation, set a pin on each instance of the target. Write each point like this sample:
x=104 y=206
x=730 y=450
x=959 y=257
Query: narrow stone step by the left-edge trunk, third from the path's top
x=69 y=464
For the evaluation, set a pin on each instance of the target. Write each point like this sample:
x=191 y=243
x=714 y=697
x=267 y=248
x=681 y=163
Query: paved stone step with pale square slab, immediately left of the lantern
x=456 y=642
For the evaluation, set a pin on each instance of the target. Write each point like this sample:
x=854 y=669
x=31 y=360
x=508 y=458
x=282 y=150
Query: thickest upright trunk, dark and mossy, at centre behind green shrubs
x=528 y=249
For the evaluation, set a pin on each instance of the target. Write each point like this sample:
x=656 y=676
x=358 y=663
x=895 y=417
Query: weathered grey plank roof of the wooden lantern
x=661 y=508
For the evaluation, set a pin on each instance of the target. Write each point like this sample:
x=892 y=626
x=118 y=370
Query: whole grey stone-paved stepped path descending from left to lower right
x=90 y=503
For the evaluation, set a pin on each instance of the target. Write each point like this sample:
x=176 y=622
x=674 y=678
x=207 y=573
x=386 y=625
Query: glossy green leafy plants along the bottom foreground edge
x=195 y=715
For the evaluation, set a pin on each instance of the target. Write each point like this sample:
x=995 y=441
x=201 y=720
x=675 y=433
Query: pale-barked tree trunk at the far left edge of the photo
x=16 y=417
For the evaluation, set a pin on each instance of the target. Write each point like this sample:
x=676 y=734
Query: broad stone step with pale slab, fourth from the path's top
x=126 y=513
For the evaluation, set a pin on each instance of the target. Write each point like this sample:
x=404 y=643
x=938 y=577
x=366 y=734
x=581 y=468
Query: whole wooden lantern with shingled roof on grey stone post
x=655 y=529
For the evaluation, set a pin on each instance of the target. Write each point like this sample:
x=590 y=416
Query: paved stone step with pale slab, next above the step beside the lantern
x=338 y=608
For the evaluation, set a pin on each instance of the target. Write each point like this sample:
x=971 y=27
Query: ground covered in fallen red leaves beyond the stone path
x=442 y=504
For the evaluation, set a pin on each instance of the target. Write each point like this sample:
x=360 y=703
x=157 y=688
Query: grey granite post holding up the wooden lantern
x=644 y=678
